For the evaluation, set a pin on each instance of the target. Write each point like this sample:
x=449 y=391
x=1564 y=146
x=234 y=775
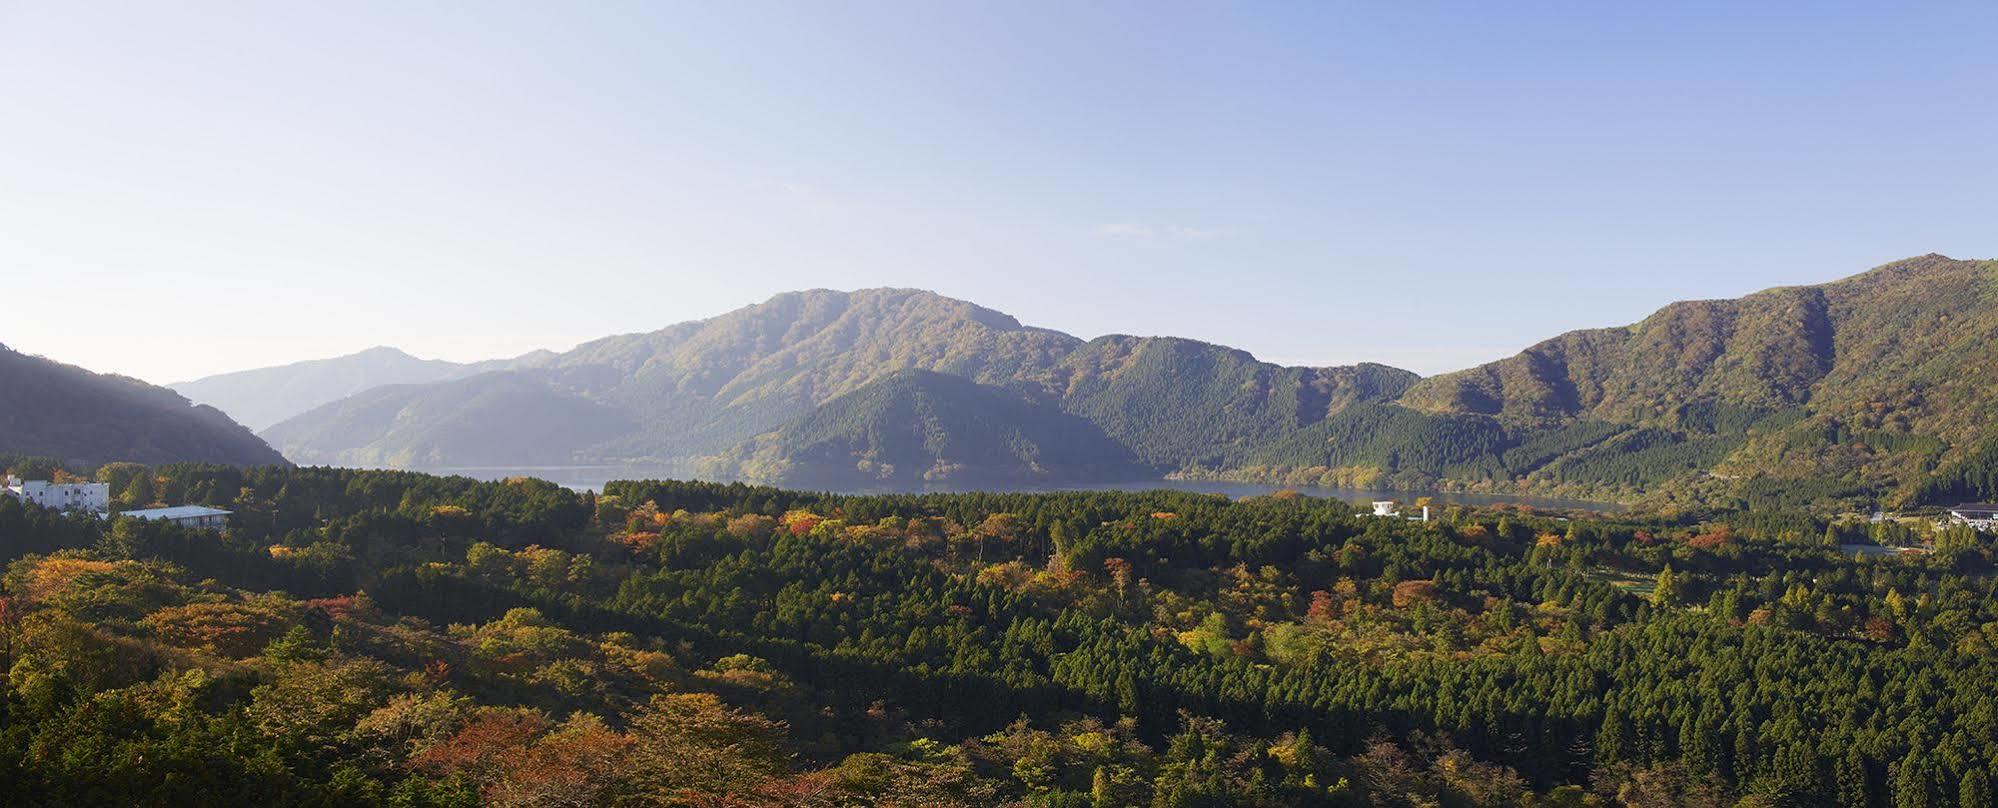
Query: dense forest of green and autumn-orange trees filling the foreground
x=421 y=641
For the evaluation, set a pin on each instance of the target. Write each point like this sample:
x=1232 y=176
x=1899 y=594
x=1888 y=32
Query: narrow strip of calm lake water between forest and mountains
x=596 y=477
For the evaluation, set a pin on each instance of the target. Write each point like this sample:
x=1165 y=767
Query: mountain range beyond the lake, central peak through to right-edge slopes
x=1859 y=389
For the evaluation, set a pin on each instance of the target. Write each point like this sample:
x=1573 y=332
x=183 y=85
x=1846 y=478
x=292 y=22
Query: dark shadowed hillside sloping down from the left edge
x=85 y=419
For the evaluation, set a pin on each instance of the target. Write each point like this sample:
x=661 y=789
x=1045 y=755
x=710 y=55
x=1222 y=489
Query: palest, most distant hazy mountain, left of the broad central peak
x=265 y=397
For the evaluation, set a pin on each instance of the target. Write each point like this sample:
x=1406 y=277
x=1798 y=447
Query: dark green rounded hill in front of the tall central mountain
x=922 y=427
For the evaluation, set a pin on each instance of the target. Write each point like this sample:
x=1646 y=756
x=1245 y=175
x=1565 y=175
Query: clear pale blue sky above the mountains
x=189 y=189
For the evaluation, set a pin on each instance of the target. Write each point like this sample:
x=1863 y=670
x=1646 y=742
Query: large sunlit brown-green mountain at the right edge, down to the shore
x=1817 y=395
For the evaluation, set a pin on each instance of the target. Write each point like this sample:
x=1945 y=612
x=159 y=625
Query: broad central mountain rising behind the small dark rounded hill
x=702 y=389
